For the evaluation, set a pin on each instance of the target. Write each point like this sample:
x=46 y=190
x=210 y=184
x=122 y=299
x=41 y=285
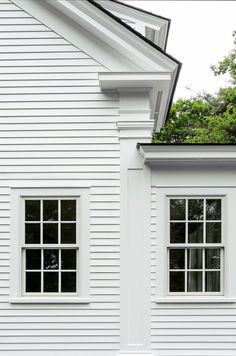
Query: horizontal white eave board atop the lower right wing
x=188 y=154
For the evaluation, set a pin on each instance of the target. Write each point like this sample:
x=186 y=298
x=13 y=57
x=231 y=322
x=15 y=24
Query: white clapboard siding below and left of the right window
x=188 y=329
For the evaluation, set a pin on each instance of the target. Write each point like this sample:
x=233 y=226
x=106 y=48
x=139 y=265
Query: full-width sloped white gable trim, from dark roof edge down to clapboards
x=117 y=39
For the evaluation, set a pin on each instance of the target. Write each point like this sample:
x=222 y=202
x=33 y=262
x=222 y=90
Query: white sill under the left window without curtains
x=48 y=300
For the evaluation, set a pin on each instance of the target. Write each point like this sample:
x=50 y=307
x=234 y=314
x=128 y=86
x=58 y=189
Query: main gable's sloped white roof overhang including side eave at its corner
x=122 y=49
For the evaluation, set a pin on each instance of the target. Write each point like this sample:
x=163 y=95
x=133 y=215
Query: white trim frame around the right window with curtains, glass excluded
x=228 y=199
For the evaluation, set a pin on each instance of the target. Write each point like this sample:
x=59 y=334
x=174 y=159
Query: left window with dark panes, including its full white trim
x=49 y=245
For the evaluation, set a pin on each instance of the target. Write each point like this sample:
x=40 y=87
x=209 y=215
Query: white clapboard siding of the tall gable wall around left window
x=57 y=128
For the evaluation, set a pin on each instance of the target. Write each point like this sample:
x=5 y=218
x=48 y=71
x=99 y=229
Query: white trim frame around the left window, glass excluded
x=18 y=195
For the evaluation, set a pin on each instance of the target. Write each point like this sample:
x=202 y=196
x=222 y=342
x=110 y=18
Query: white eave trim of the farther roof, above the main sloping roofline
x=158 y=25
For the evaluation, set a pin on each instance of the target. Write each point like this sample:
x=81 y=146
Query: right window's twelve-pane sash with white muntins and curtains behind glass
x=195 y=249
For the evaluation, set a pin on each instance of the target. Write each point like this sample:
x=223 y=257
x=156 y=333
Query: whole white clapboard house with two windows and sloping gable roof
x=109 y=245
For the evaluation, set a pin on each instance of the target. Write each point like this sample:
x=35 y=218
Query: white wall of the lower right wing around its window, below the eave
x=194 y=329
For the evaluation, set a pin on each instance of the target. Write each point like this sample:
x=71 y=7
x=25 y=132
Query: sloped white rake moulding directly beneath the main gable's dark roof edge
x=115 y=35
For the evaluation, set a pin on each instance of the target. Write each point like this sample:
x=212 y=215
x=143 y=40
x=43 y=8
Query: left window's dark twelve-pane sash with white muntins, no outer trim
x=50 y=249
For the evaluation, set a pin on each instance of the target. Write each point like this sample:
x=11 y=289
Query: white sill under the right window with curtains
x=221 y=299
